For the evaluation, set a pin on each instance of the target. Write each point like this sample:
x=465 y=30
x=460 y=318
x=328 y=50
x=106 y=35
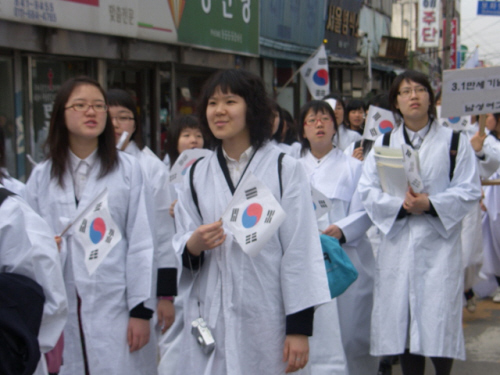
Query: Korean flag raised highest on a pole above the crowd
x=315 y=74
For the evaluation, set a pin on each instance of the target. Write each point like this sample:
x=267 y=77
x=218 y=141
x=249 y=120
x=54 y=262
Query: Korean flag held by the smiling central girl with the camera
x=253 y=215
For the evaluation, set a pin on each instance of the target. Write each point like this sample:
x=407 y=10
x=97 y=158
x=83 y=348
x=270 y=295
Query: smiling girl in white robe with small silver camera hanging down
x=259 y=309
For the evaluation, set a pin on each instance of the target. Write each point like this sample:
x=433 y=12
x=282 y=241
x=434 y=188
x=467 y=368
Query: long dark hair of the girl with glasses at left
x=58 y=139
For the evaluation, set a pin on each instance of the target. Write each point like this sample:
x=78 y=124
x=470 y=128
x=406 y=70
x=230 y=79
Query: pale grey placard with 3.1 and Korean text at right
x=471 y=92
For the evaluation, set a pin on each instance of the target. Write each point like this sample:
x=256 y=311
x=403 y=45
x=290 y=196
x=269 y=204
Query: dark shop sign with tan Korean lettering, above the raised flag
x=341 y=26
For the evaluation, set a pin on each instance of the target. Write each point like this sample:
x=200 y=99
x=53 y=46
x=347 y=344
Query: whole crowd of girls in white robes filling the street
x=177 y=295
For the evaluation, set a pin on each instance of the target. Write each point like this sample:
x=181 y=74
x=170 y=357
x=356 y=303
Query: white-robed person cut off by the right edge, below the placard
x=491 y=221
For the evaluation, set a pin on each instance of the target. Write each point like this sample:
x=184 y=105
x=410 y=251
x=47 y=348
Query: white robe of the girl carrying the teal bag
x=336 y=176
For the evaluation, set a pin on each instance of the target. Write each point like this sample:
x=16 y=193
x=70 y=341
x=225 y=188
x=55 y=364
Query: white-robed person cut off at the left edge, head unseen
x=28 y=248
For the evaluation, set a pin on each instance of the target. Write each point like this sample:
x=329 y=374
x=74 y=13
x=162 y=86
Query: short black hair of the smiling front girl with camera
x=251 y=88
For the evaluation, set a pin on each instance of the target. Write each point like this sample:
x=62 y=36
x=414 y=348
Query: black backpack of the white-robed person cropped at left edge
x=21 y=309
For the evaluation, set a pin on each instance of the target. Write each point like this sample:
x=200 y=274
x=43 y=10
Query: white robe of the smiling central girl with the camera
x=245 y=300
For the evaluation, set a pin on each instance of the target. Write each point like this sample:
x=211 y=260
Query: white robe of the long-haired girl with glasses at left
x=123 y=280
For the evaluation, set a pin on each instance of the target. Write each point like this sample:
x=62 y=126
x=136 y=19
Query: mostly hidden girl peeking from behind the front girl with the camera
x=184 y=133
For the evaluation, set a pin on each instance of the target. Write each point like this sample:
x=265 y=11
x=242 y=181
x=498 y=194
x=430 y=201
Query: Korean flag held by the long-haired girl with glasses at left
x=97 y=232
